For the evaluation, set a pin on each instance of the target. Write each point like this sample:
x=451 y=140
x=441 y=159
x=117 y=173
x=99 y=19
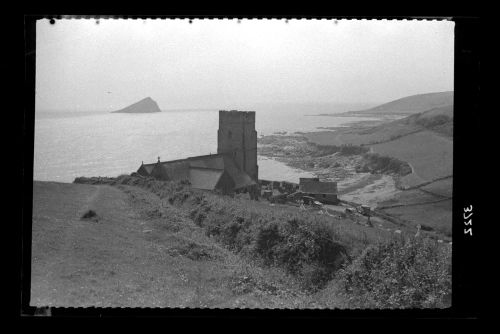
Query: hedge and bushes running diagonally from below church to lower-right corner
x=340 y=263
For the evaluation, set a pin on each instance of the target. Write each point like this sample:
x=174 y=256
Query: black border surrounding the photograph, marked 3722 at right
x=465 y=190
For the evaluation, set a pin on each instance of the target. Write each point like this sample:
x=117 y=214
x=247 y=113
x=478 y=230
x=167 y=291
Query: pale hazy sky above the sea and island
x=84 y=65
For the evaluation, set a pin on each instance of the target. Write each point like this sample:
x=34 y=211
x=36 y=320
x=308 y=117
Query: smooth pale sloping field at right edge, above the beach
x=430 y=155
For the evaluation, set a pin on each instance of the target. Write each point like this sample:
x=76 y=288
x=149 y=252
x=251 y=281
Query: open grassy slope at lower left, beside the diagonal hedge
x=137 y=253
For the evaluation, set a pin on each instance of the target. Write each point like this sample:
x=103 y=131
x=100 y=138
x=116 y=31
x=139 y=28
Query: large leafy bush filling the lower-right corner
x=407 y=273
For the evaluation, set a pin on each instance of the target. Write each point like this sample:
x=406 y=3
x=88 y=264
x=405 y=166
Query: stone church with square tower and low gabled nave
x=234 y=167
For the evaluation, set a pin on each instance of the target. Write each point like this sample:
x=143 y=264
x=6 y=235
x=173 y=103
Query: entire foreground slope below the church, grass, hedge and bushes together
x=160 y=244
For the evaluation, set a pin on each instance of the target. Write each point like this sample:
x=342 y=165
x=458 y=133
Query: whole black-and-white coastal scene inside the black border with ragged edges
x=243 y=164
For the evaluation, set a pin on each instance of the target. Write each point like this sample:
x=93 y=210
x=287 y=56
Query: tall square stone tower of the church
x=237 y=136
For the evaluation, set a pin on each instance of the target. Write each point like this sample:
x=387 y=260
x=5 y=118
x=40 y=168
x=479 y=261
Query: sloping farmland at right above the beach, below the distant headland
x=424 y=140
